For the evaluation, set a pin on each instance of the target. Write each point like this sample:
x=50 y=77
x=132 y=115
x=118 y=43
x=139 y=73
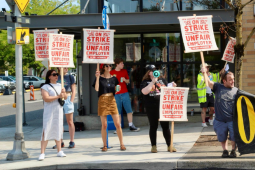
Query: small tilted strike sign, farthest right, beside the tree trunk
x=229 y=53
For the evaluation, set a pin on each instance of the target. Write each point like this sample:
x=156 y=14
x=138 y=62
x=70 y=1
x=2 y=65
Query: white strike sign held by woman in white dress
x=61 y=50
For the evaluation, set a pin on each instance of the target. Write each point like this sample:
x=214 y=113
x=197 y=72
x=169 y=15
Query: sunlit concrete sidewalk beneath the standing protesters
x=87 y=153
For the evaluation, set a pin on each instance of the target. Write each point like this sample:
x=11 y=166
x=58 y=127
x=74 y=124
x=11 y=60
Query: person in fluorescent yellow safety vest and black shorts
x=205 y=94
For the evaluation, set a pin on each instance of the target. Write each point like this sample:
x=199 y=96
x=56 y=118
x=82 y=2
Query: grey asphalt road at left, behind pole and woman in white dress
x=33 y=110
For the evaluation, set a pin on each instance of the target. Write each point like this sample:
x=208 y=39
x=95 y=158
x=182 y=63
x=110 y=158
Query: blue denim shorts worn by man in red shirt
x=123 y=99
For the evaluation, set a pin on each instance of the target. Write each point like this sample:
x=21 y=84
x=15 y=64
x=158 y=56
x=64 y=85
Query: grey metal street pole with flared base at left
x=19 y=150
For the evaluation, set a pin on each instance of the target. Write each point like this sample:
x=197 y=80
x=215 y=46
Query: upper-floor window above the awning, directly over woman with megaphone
x=160 y=5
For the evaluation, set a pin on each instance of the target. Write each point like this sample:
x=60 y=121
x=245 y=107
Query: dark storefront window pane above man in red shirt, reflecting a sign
x=127 y=47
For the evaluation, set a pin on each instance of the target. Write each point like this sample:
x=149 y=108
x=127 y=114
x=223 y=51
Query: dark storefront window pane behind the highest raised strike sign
x=209 y=55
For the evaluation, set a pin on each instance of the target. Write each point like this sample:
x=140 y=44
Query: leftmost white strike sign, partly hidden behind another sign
x=41 y=43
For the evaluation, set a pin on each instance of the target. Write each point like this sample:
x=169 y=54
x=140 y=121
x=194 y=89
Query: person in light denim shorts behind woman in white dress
x=68 y=106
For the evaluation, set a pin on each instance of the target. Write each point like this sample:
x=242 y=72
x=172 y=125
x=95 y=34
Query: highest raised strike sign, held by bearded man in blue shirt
x=197 y=33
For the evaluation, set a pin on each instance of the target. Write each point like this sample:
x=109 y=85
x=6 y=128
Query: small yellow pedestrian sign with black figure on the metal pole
x=22 y=35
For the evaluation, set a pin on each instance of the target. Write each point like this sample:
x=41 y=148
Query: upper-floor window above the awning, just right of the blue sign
x=122 y=6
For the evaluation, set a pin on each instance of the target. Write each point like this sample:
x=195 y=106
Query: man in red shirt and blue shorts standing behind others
x=122 y=97
